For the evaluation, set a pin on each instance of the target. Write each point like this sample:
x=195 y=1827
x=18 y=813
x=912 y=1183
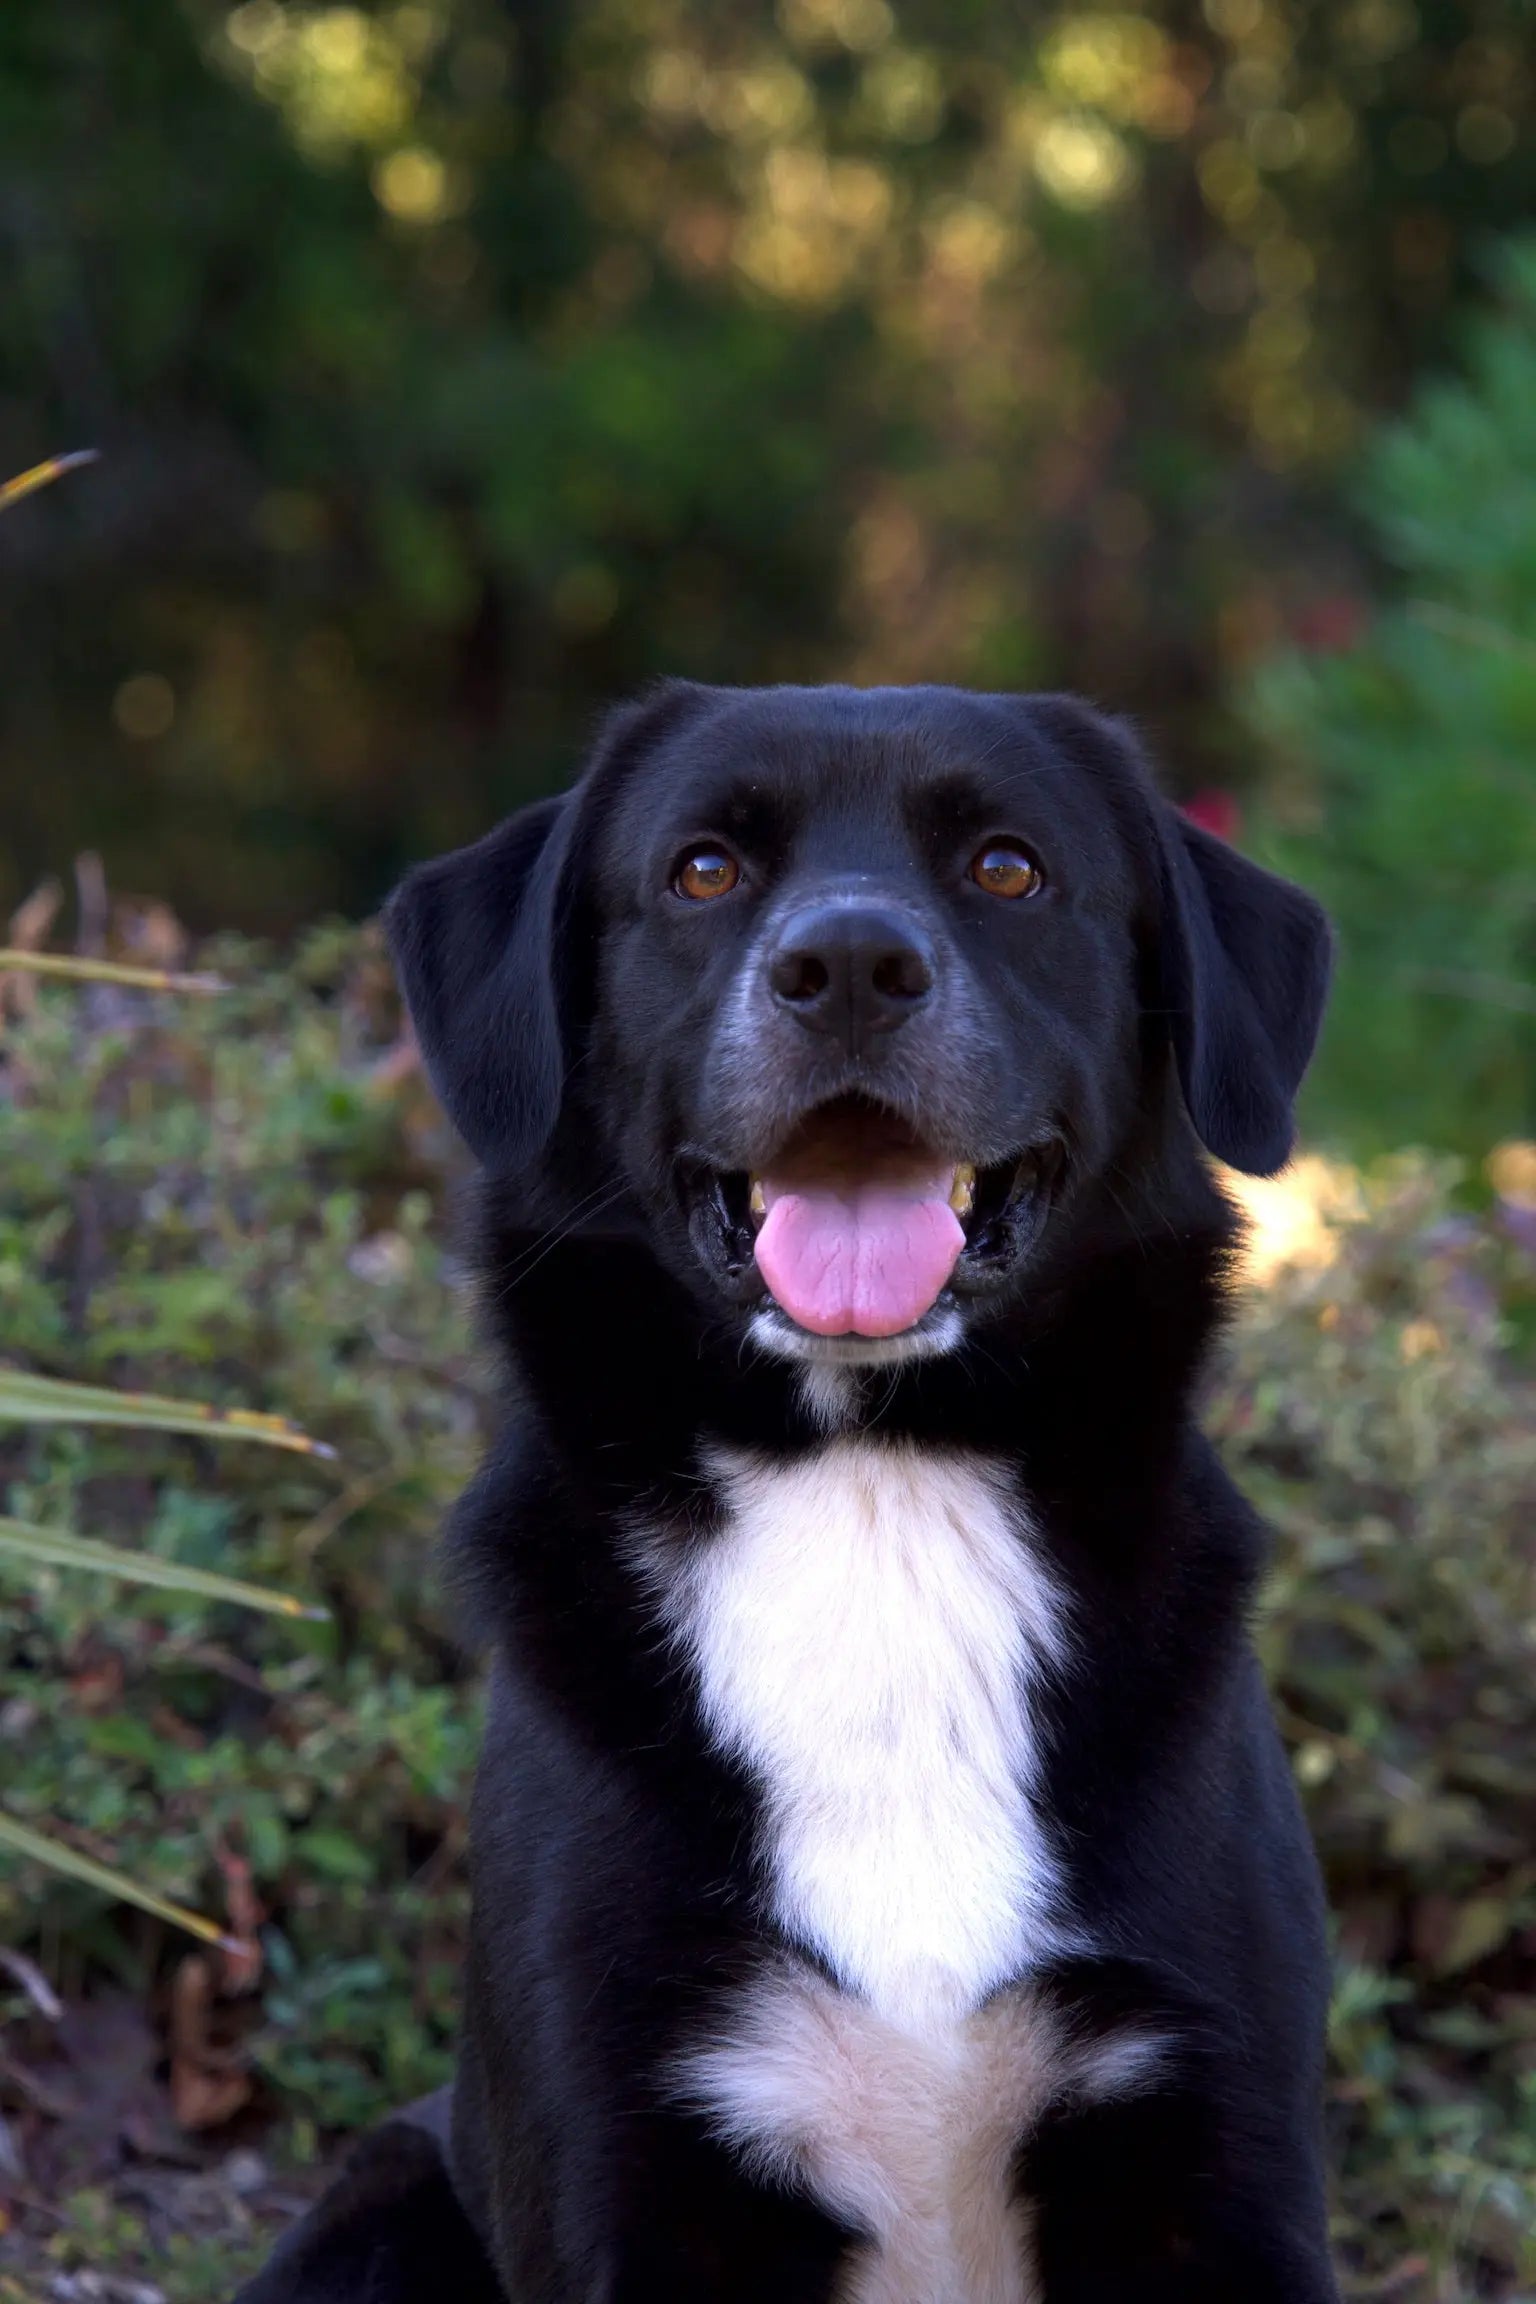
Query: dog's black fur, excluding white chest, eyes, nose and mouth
x=1159 y=996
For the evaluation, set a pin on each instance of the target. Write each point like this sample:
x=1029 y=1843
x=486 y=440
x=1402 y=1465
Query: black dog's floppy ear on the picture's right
x=1245 y=978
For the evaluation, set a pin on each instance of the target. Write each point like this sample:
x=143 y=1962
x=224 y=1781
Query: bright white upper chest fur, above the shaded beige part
x=869 y=1628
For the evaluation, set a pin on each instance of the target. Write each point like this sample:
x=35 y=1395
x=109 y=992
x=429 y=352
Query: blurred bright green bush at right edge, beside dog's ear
x=1406 y=766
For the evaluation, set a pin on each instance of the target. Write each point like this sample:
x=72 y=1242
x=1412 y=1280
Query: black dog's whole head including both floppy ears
x=851 y=996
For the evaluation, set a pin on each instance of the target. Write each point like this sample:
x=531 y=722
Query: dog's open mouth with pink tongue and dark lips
x=858 y=1227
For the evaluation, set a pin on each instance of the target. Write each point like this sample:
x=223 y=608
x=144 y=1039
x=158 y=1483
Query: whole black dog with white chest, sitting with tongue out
x=888 y=1879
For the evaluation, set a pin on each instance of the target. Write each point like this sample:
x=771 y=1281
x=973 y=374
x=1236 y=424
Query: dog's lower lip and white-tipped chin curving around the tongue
x=1005 y=1218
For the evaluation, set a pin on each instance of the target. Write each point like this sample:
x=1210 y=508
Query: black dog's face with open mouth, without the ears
x=865 y=969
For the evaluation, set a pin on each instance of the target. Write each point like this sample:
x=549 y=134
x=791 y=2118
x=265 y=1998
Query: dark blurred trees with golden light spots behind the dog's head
x=462 y=363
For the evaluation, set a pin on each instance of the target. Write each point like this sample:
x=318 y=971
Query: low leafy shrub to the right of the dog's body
x=1376 y=1414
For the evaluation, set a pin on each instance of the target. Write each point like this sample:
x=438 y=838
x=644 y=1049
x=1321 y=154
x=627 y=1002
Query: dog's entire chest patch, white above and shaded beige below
x=869 y=1630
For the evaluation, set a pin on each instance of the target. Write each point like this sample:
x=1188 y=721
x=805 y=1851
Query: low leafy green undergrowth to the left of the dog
x=229 y=1197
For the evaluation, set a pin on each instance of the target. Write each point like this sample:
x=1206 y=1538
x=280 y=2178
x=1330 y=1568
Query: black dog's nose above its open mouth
x=851 y=969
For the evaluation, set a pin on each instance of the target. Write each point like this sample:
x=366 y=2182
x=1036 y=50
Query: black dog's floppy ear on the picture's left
x=485 y=950
